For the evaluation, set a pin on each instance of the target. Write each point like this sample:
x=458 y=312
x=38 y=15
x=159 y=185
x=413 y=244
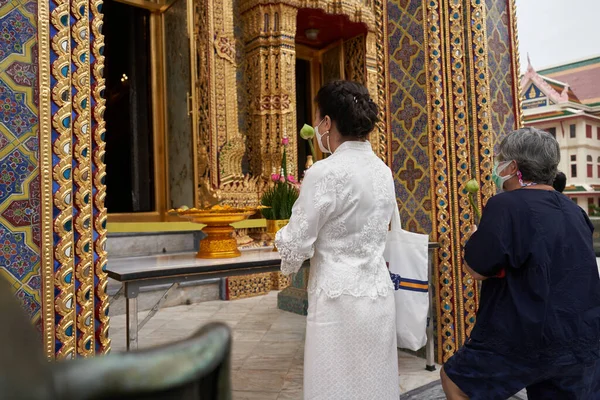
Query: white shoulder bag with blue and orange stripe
x=407 y=256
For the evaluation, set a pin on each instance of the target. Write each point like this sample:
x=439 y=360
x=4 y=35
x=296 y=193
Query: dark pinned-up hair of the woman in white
x=349 y=106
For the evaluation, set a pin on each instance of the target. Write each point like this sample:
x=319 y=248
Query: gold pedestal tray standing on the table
x=219 y=241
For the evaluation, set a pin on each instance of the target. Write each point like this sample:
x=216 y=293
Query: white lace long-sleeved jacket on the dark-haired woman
x=340 y=222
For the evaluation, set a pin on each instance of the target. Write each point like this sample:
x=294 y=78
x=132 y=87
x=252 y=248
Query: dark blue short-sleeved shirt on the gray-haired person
x=548 y=304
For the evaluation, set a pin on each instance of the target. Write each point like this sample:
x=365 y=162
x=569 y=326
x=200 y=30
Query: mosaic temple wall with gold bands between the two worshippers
x=452 y=84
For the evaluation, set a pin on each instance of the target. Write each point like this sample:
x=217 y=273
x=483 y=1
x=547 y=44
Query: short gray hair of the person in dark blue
x=536 y=152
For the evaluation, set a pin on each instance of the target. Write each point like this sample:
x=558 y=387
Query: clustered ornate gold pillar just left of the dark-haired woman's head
x=270 y=73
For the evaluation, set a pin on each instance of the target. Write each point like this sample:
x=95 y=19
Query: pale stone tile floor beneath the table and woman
x=268 y=345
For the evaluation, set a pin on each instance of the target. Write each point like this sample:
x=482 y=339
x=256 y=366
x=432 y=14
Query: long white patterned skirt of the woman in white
x=350 y=350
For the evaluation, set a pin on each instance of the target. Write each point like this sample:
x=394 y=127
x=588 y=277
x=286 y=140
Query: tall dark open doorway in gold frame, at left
x=129 y=136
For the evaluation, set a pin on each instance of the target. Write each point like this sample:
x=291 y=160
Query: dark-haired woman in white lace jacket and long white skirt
x=340 y=222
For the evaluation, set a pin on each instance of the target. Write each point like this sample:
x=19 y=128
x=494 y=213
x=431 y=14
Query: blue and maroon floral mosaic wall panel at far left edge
x=19 y=155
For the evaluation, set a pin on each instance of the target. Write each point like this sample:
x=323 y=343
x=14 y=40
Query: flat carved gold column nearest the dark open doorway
x=221 y=146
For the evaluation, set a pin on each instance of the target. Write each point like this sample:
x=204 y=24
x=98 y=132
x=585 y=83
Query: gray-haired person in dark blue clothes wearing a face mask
x=538 y=323
